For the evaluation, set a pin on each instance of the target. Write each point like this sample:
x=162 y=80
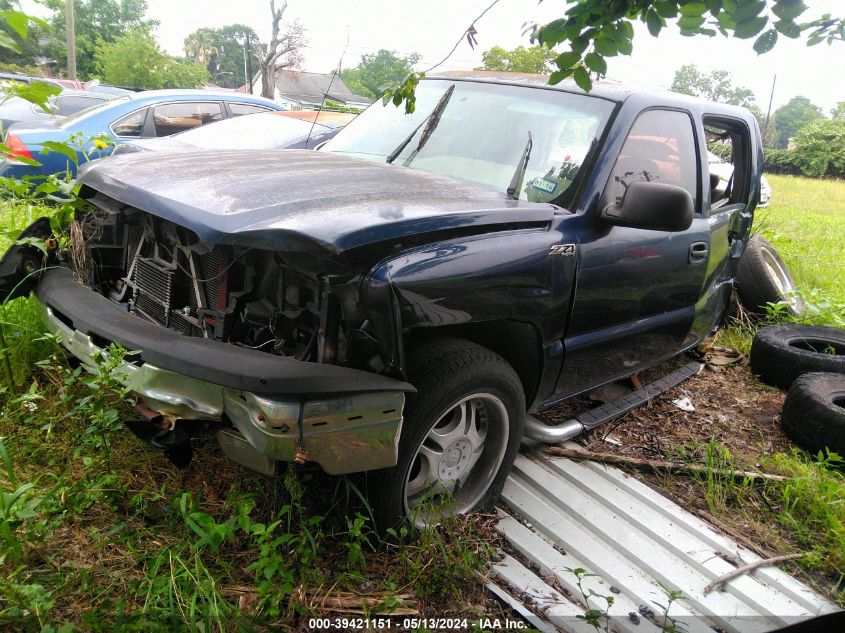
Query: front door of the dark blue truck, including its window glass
x=636 y=293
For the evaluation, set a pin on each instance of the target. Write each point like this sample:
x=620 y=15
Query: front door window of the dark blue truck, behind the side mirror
x=660 y=148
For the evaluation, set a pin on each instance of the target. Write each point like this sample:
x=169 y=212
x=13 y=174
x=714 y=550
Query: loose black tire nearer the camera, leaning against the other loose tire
x=813 y=413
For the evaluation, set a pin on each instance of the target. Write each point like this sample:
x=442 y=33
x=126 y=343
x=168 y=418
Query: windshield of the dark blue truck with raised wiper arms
x=547 y=131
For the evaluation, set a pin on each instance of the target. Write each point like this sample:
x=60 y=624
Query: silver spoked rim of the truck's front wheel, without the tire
x=457 y=460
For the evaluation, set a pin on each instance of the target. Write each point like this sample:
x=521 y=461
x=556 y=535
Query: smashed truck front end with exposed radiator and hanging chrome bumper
x=269 y=350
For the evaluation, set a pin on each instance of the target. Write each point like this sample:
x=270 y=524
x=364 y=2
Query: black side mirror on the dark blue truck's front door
x=652 y=205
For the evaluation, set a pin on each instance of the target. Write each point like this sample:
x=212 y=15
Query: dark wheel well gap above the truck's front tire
x=518 y=343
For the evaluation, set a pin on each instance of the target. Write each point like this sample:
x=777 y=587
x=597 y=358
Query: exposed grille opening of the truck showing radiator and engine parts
x=162 y=273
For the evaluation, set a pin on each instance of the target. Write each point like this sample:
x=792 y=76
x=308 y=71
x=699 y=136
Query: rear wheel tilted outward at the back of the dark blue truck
x=762 y=277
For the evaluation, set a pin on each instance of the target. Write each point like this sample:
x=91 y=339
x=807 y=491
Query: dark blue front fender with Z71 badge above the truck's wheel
x=515 y=275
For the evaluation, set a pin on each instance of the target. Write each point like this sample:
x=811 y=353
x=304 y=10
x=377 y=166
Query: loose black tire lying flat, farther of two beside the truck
x=781 y=353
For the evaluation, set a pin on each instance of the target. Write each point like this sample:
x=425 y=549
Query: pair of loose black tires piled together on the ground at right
x=809 y=362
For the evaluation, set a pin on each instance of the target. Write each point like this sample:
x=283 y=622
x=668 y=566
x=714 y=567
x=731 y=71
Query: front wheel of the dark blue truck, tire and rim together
x=460 y=435
